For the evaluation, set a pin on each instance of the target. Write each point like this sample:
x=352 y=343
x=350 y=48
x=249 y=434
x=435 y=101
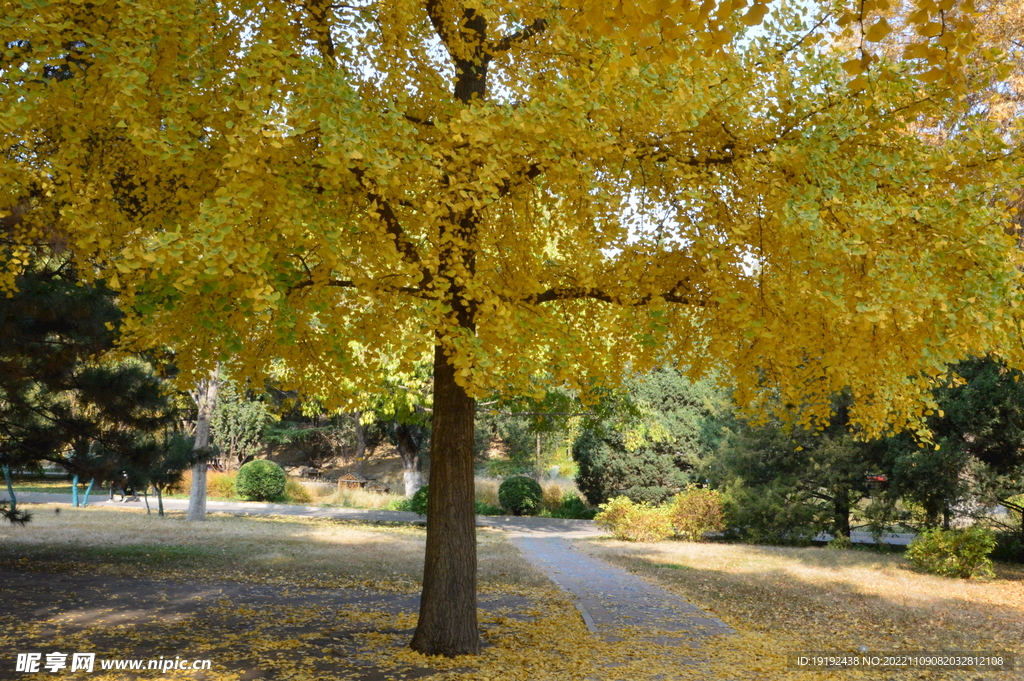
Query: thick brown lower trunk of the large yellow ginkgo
x=448 y=607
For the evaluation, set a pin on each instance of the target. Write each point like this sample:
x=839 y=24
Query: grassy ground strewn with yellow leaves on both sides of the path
x=287 y=599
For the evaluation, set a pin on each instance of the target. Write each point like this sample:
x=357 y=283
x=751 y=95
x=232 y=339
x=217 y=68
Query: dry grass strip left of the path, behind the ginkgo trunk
x=261 y=548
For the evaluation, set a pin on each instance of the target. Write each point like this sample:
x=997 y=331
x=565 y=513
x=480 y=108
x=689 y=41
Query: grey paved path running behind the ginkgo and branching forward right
x=608 y=598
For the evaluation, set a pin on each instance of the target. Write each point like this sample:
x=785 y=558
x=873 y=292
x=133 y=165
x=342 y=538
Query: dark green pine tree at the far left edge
x=62 y=401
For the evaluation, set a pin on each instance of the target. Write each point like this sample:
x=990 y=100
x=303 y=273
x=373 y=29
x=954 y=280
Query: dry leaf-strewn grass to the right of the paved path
x=786 y=601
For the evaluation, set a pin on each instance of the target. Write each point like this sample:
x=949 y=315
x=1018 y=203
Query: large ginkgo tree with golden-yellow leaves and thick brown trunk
x=524 y=189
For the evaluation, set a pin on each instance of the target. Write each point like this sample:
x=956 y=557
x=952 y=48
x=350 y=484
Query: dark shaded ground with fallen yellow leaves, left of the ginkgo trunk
x=254 y=631
